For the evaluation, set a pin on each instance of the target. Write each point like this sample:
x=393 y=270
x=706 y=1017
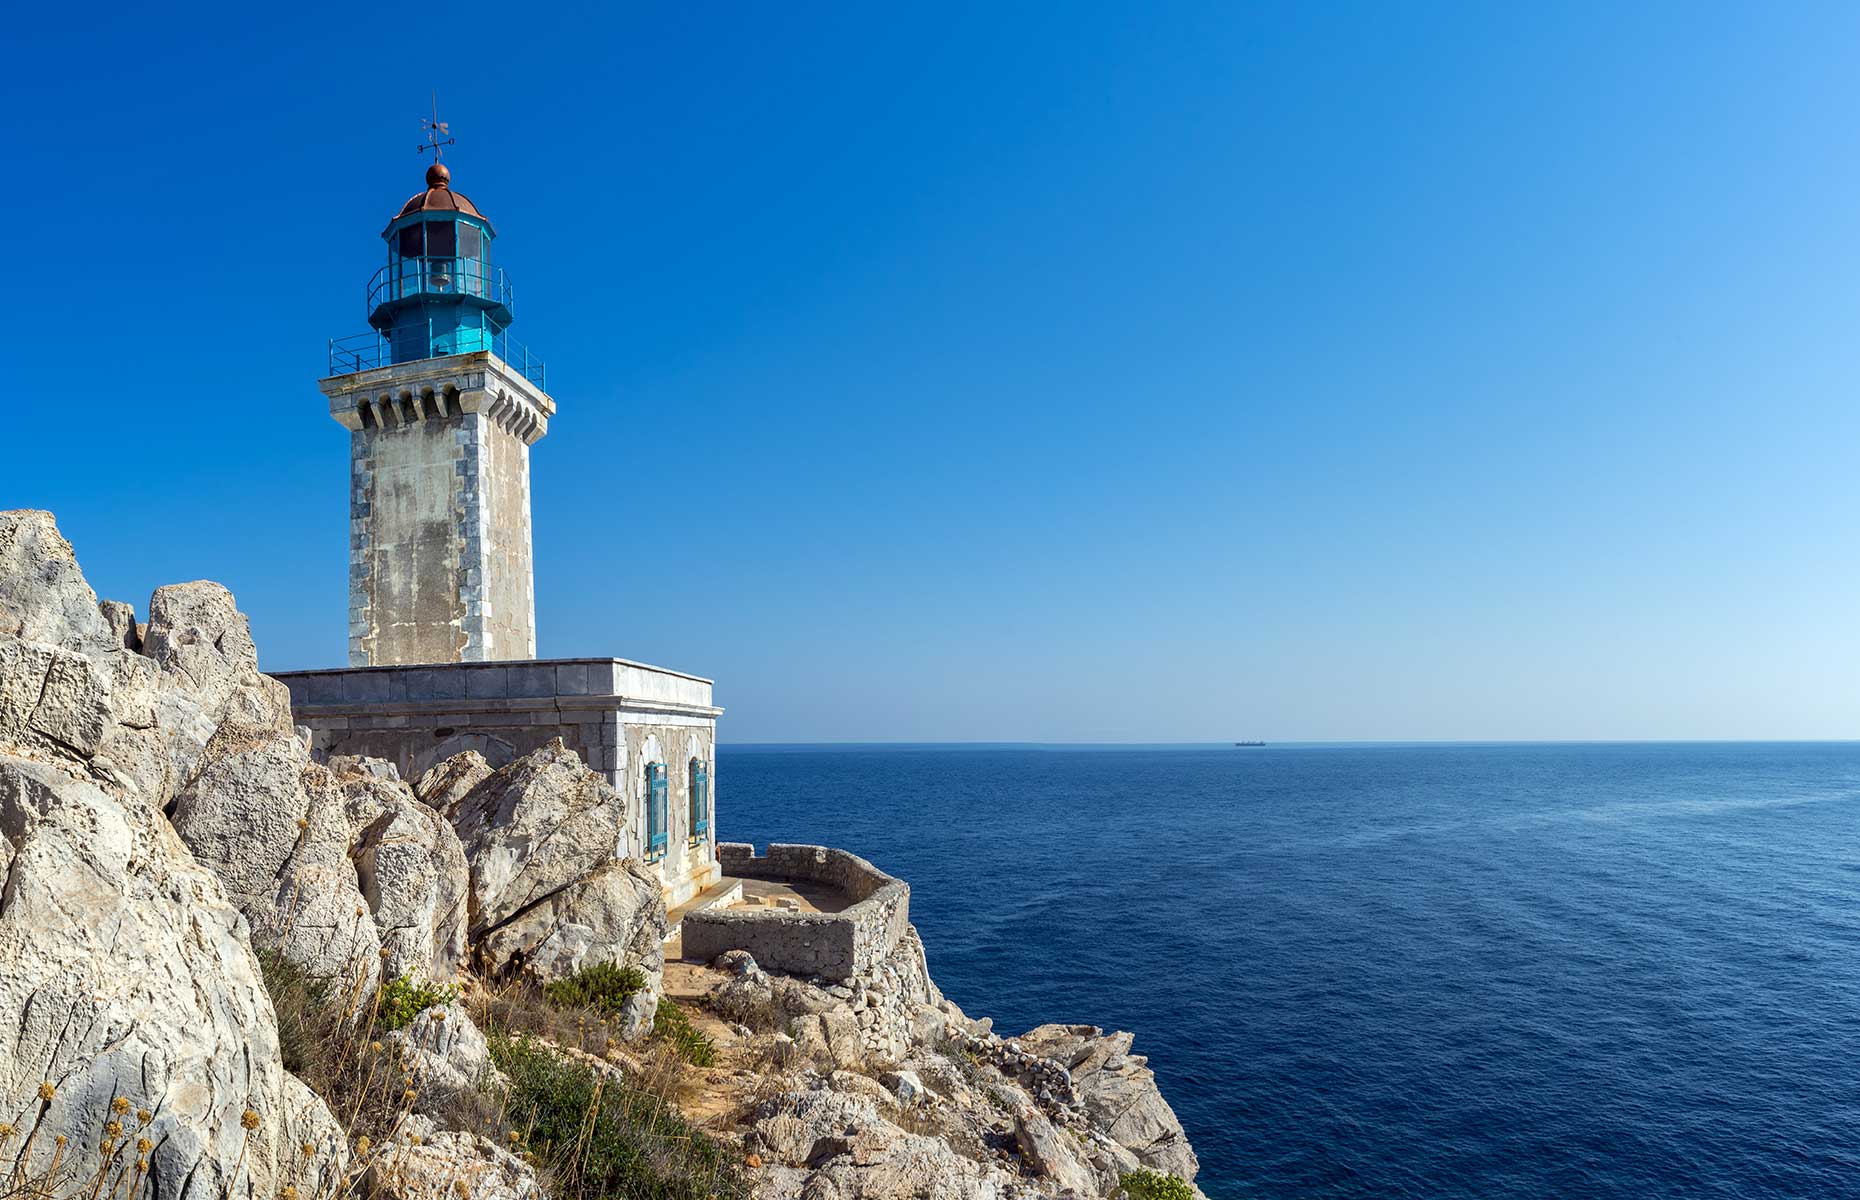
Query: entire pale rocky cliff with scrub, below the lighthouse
x=232 y=970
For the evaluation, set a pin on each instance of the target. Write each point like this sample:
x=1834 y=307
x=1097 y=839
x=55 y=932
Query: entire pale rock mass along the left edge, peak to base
x=126 y=970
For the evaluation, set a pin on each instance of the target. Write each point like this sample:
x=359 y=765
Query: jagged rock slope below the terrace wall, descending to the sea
x=1065 y=1112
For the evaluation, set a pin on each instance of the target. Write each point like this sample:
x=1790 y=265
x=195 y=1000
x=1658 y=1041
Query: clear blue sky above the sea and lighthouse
x=1011 y=373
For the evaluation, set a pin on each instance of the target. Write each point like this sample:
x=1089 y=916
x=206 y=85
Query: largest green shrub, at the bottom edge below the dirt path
x=604 y=1136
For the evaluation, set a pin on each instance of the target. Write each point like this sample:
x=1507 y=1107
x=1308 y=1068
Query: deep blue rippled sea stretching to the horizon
x=1545 y=970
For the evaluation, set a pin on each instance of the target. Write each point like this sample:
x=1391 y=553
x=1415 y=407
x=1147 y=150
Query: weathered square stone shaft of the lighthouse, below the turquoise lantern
x=440 y=509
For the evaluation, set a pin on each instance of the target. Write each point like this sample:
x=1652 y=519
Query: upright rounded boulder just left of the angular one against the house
x=414 y=875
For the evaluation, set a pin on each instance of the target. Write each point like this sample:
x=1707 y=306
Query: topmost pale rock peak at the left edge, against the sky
x=44 y=596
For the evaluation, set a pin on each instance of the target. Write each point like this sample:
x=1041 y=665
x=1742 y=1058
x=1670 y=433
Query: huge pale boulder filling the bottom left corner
x=126 y=970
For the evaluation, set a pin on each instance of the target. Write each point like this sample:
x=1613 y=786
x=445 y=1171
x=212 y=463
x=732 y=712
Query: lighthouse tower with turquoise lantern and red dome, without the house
x=442 y=410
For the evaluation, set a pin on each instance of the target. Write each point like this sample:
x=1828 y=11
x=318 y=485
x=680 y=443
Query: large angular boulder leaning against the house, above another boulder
x=533 y=829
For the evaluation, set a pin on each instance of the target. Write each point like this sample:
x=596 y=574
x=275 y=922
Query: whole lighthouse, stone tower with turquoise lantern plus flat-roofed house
x=442 y=410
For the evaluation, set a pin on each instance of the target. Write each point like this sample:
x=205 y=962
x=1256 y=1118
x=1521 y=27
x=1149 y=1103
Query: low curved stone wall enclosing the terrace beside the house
x=834 y=946
